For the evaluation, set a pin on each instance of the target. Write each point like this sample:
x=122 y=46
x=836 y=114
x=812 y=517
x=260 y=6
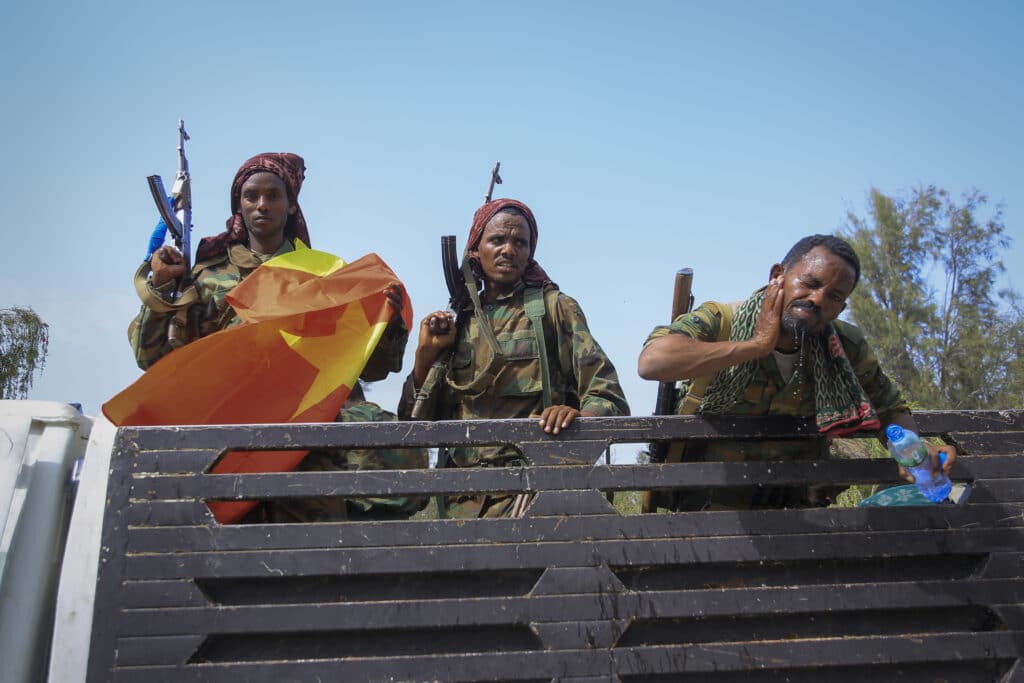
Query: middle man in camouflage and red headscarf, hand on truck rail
x=583 y=381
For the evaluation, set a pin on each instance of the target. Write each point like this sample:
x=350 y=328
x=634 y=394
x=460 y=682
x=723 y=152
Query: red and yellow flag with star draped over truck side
x=310 y=325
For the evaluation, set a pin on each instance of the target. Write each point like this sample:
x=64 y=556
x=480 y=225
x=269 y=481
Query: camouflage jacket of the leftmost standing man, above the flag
x=214 y=279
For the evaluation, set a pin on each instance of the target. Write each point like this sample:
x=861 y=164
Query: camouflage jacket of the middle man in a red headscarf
x=582 y=375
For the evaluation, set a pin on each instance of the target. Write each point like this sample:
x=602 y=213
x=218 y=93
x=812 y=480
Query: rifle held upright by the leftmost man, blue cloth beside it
x=176 y=215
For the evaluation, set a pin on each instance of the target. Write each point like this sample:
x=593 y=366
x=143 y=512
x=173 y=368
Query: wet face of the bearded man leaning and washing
x=815 y=291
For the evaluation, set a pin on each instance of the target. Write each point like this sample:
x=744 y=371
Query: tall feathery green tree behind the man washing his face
x=928 y=298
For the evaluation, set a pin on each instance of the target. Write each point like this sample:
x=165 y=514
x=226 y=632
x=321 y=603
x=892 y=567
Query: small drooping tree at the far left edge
x=24 y=344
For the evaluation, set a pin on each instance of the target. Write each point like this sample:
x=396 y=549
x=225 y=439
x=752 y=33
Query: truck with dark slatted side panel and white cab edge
x=115 y=570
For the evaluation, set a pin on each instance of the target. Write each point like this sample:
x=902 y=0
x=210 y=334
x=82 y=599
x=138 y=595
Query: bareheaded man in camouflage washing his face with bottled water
x=782 y=352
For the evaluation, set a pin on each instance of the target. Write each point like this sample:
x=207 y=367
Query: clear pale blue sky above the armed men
x=647 y=137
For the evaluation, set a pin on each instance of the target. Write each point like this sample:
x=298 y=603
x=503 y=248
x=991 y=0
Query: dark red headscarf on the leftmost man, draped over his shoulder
x=291 y=169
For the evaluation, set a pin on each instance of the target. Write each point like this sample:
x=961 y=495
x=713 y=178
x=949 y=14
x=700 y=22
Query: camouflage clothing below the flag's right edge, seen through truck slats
x=357 y=409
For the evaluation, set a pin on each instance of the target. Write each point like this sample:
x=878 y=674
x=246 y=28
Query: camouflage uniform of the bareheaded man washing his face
x=769 y=394
